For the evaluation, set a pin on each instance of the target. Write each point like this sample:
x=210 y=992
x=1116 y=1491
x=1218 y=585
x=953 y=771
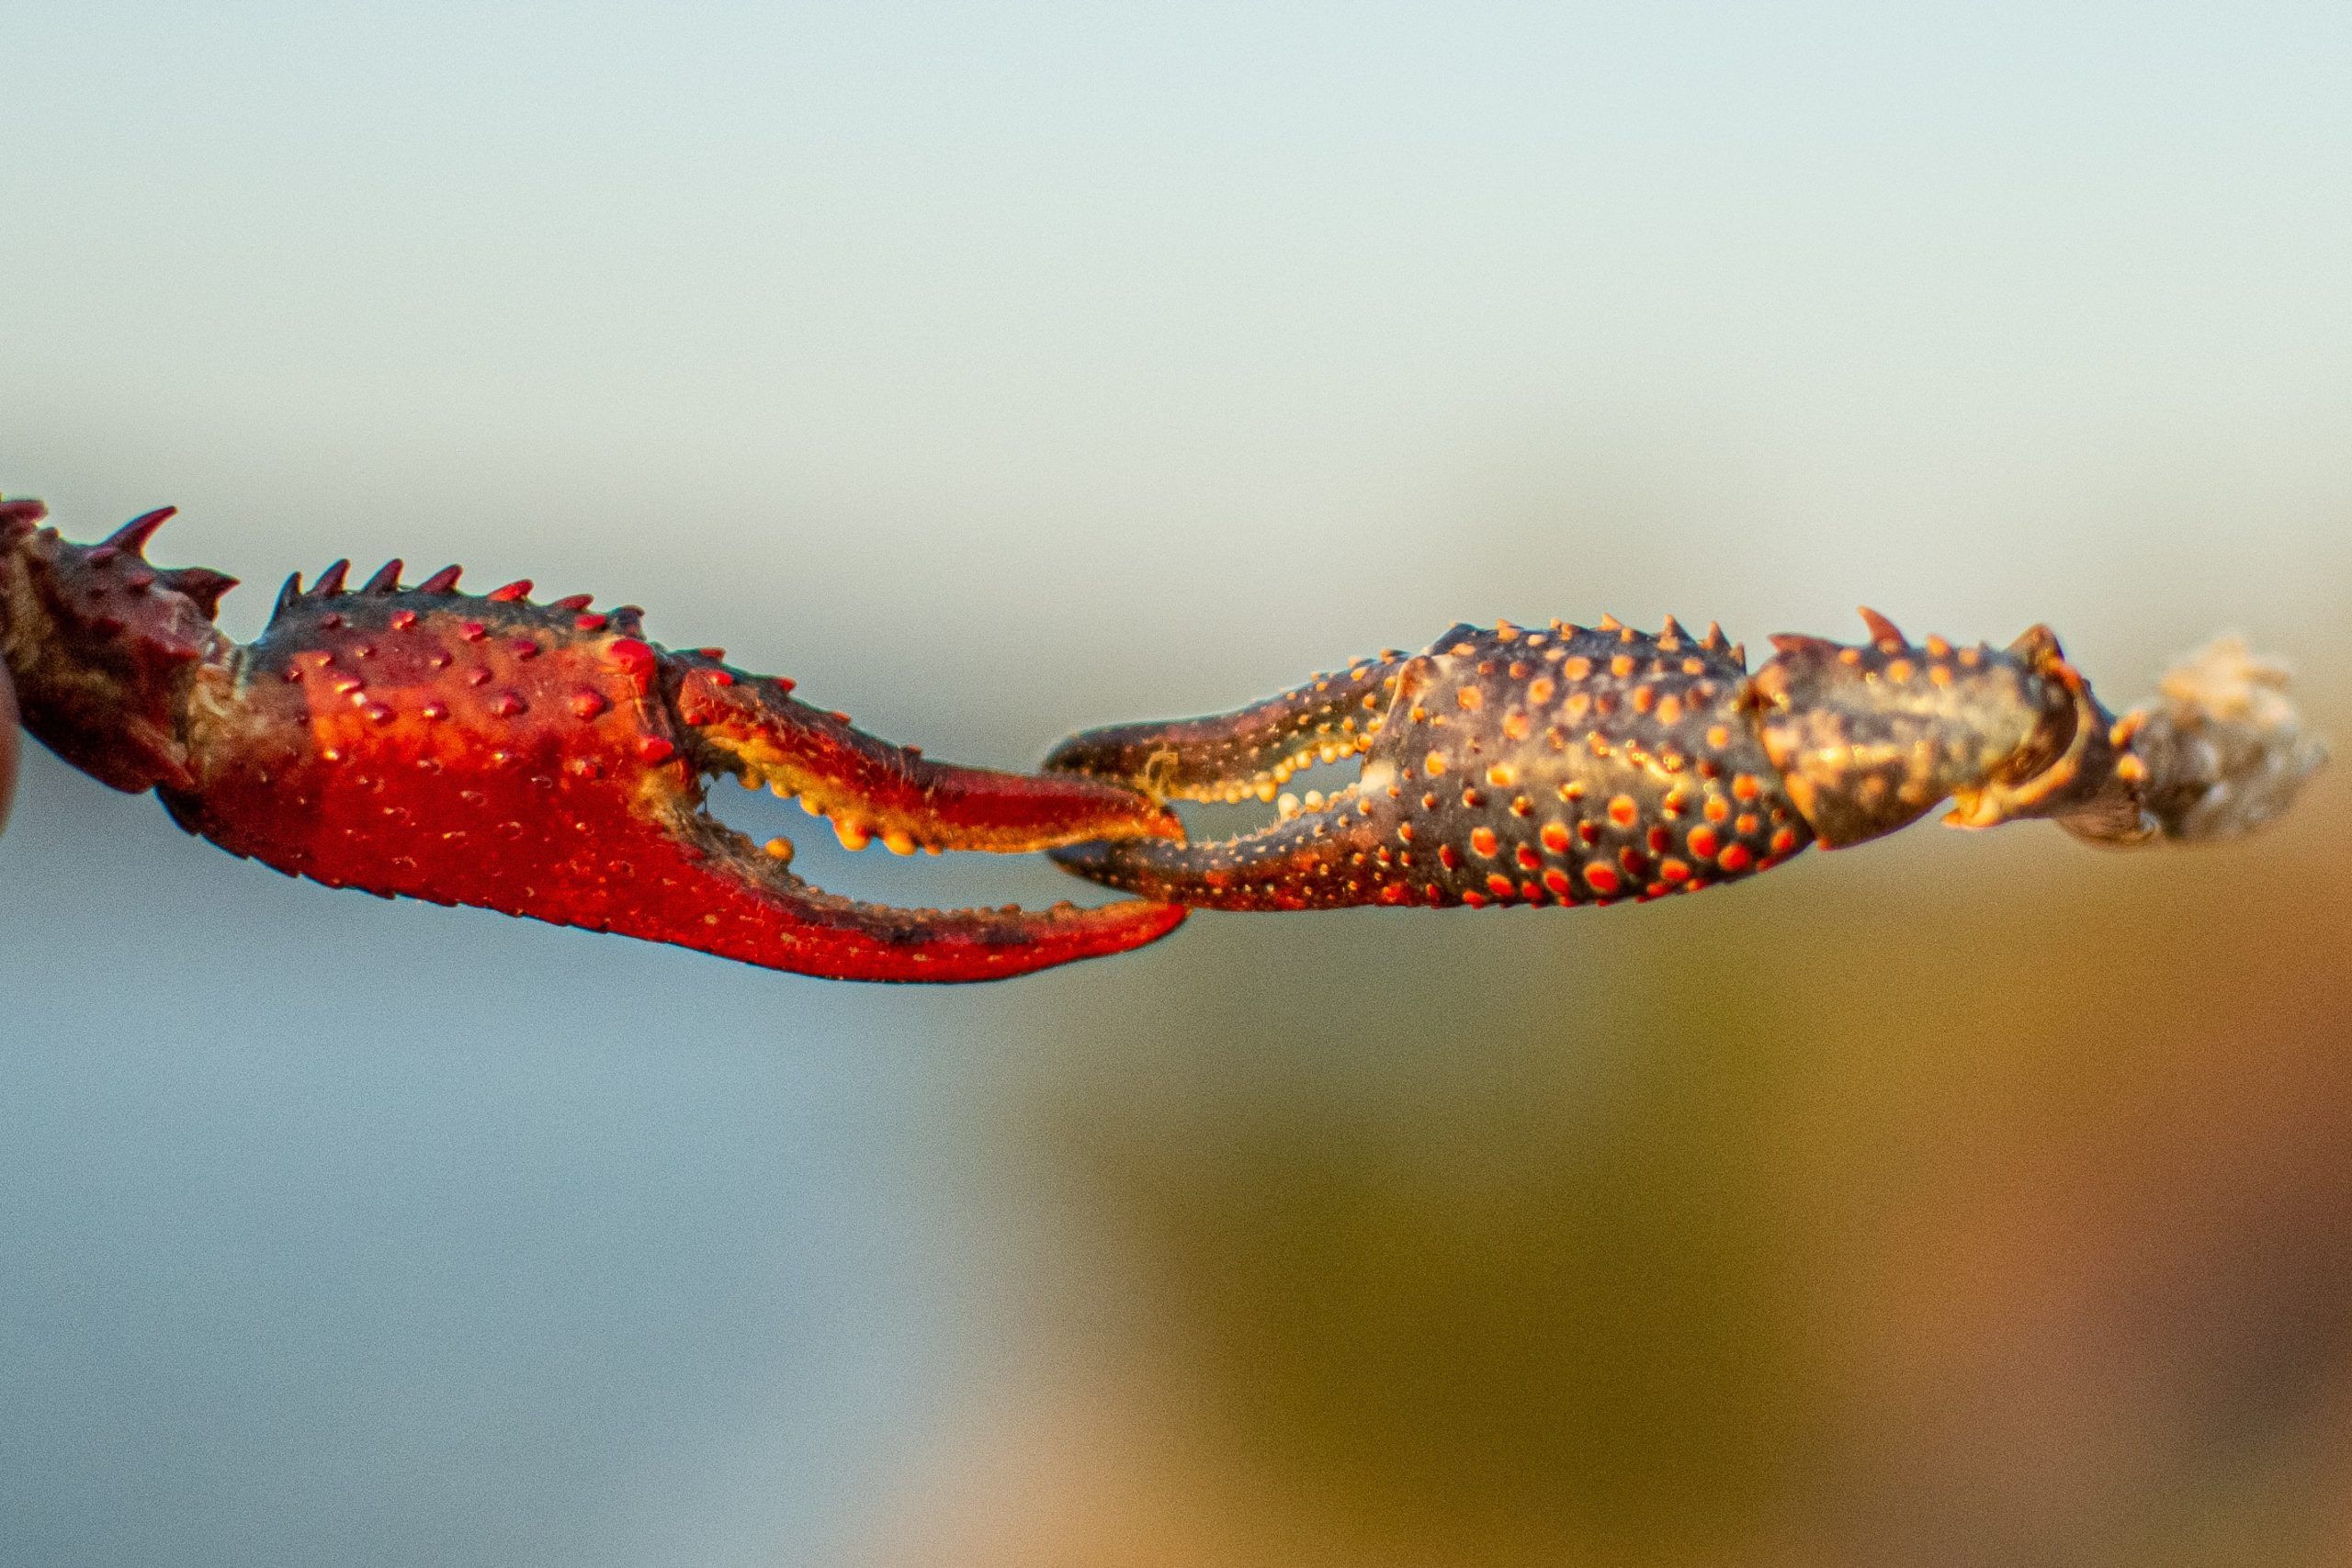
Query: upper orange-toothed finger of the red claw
x=876 y=791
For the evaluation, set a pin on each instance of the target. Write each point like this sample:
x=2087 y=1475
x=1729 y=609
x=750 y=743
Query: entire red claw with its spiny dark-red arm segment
x=530 y=758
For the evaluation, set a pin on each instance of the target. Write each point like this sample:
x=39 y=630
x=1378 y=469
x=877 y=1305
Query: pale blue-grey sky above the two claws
x=1419 y=311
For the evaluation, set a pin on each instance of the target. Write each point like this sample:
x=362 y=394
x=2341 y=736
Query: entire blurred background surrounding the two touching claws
x=1003 y=370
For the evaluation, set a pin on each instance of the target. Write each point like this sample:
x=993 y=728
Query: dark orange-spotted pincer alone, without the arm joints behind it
x=1499 y=768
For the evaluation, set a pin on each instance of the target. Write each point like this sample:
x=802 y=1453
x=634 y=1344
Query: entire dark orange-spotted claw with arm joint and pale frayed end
x=1589 y=765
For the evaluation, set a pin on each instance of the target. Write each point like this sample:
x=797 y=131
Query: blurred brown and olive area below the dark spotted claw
x=1965 y=1200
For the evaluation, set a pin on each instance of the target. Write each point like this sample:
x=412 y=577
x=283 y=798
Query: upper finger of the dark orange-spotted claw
x=1248 y=753
